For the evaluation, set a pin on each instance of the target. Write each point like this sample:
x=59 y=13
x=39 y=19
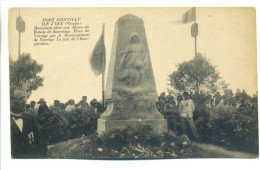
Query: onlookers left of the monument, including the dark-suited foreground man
x=28 y=139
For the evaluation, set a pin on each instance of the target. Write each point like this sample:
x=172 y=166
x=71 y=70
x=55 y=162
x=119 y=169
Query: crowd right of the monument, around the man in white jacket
x=185 y=111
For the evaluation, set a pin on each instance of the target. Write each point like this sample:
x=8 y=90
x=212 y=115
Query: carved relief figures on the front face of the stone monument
x=133 y=62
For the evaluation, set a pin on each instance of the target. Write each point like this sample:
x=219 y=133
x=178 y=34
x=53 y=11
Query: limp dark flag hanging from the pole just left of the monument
x=98 y=56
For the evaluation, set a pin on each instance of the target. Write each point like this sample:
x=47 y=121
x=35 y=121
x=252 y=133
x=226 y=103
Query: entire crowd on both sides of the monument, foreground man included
x=183 y=112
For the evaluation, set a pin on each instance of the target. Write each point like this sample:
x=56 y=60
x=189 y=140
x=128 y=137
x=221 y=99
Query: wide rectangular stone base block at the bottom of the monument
x=106 y=126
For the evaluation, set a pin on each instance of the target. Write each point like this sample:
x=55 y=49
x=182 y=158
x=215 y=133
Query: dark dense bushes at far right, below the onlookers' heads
x=234 y=128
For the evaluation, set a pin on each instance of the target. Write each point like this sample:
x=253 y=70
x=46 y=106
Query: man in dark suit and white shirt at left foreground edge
x=26 y=138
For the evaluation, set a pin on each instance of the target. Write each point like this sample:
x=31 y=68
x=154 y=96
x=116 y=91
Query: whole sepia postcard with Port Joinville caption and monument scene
x=133 y=83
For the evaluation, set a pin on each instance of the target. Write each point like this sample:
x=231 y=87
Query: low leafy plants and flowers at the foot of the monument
x=132 y=143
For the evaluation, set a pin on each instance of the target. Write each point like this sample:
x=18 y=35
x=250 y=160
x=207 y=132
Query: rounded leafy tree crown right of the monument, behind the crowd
x=193 y=74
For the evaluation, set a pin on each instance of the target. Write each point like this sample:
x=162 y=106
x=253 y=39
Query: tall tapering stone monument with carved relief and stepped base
x=130 y=90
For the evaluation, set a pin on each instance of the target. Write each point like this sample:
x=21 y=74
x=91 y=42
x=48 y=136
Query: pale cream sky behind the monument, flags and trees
x=227 y=37
